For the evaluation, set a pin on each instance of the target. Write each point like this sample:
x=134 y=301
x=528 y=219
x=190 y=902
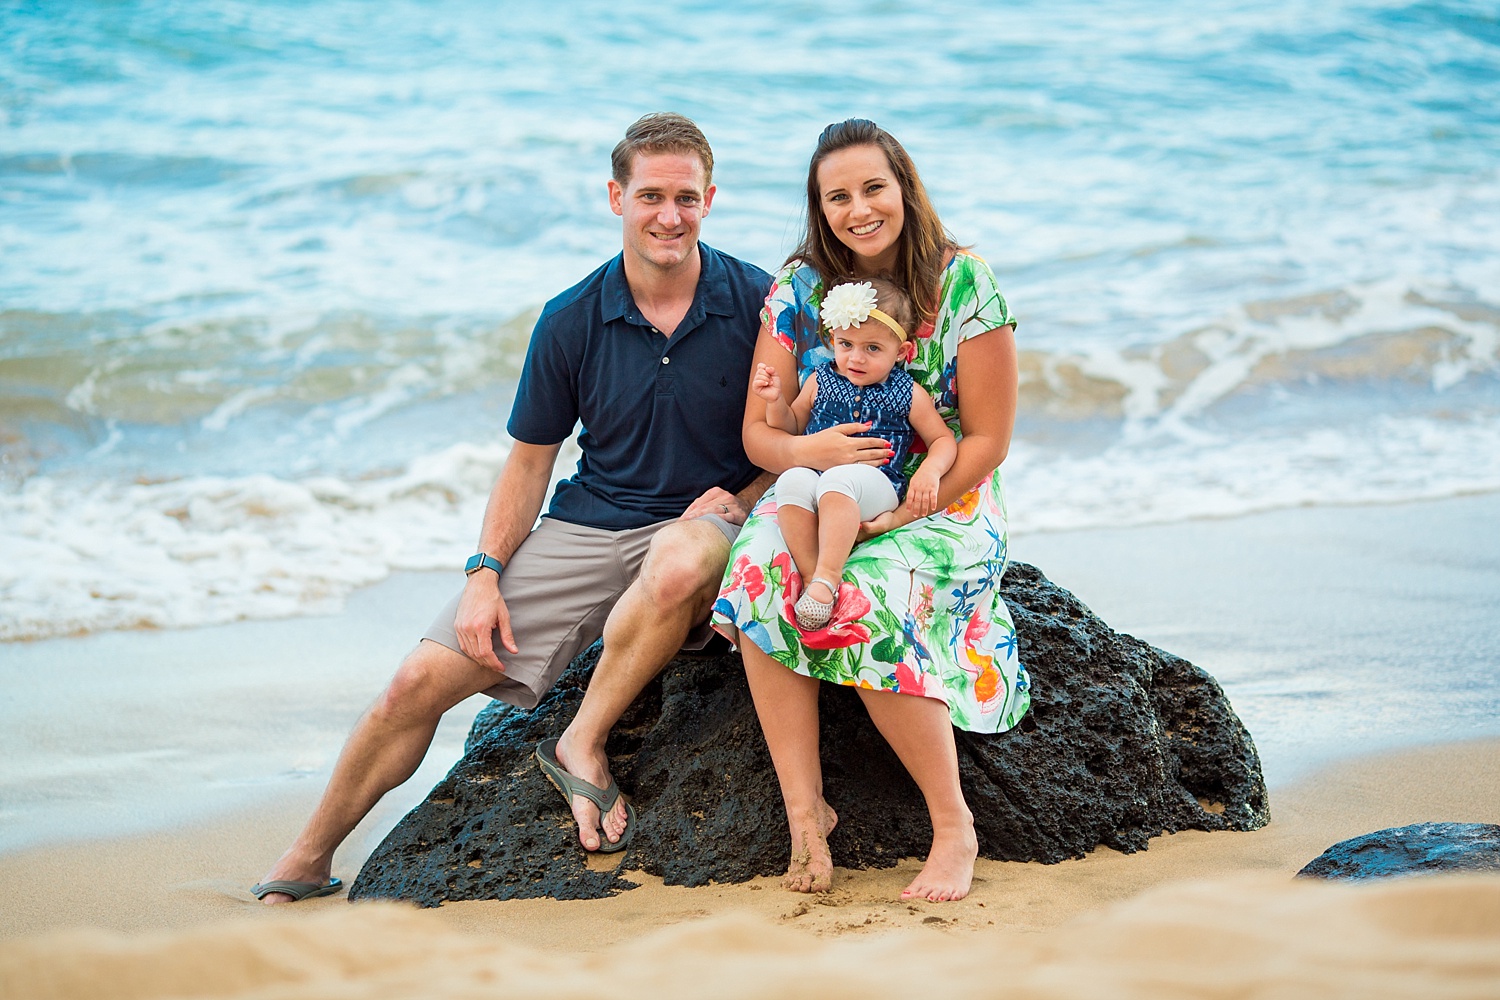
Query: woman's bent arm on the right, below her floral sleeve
x=988 y=389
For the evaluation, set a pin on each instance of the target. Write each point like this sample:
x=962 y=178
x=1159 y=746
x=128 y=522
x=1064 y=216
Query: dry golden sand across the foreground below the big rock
x=1199 y=915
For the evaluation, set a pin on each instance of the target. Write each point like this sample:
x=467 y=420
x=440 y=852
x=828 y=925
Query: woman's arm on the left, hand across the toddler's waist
x=776 y=451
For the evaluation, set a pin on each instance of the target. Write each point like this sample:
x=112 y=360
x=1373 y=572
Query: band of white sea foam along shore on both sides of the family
x=212 y=549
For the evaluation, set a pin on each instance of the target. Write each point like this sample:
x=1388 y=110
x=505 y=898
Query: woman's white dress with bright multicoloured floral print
x=920 y=608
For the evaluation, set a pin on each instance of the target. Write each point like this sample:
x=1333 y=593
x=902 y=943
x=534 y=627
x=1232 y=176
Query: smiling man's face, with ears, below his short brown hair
x=664 y=206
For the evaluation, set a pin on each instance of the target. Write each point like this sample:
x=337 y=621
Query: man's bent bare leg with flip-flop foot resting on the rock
x=676 y=591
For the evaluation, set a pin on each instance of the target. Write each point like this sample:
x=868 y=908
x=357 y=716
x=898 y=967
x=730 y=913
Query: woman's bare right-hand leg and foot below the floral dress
x=922 y=735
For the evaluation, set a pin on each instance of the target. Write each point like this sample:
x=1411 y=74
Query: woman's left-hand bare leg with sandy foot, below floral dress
x=787 y=705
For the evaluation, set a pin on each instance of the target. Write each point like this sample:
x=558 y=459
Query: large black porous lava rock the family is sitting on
x=1123 y=743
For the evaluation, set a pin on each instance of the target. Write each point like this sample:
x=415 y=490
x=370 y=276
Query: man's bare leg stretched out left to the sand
x=385 y=750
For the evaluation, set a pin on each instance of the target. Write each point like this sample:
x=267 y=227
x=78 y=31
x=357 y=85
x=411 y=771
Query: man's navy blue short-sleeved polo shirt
x=662 y=416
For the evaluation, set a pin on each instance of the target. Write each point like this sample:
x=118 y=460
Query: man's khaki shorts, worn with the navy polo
x=560 y=587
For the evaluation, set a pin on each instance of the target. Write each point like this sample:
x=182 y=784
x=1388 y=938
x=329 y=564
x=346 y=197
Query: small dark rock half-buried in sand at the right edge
x=1411 y=851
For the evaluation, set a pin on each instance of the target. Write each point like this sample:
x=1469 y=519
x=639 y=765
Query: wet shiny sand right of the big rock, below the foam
x=1334 y=630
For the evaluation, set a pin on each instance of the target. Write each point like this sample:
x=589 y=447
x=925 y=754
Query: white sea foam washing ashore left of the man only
x=209 y=549
